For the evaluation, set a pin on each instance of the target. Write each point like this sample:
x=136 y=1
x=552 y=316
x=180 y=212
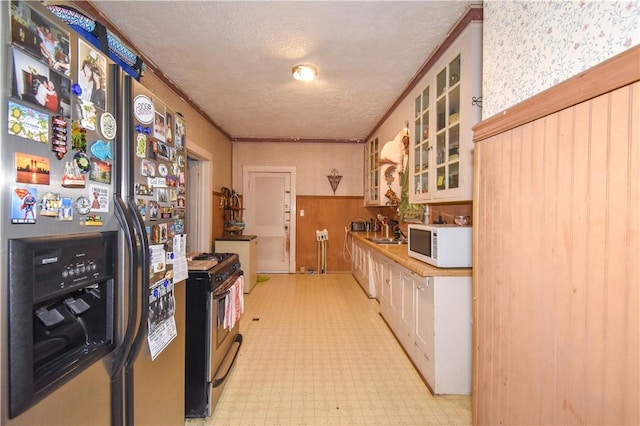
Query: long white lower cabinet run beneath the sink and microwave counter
x=430 y=316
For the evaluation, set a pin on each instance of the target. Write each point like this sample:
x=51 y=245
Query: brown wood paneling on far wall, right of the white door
x=334 y=214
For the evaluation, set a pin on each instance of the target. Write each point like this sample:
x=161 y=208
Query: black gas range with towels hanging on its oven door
x=212 y=344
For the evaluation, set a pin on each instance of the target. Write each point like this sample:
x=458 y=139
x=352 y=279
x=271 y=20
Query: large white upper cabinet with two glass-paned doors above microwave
x=447 y=104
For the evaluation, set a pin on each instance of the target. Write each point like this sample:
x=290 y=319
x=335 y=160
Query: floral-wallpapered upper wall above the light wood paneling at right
x=529 y=46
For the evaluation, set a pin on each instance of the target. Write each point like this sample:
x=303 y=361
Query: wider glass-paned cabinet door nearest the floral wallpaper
x=447 y=133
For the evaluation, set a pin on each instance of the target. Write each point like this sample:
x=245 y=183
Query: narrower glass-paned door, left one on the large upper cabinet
x=421 y=144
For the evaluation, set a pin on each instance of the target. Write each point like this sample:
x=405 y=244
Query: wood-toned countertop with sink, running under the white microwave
x=398 y=253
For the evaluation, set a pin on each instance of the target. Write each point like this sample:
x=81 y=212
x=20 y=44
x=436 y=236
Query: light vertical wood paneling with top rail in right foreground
x=556 y=260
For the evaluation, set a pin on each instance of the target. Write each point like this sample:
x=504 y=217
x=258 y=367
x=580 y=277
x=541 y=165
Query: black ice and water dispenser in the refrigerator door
x=61 y=311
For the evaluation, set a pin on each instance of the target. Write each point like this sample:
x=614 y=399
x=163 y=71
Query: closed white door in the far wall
x=267 y=197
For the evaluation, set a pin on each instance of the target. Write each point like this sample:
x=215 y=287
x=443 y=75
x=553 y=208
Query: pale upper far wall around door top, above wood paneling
x=313 y=162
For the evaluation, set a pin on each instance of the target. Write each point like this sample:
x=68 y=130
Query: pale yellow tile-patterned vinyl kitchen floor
x=316 y=352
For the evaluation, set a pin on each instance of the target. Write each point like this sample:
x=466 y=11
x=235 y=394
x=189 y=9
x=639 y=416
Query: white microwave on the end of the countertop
x=444 y=246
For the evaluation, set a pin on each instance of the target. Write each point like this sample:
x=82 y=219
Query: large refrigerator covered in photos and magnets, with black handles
x=93 y=206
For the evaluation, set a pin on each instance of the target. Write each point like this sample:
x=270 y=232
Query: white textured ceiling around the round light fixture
x=234 y=58
